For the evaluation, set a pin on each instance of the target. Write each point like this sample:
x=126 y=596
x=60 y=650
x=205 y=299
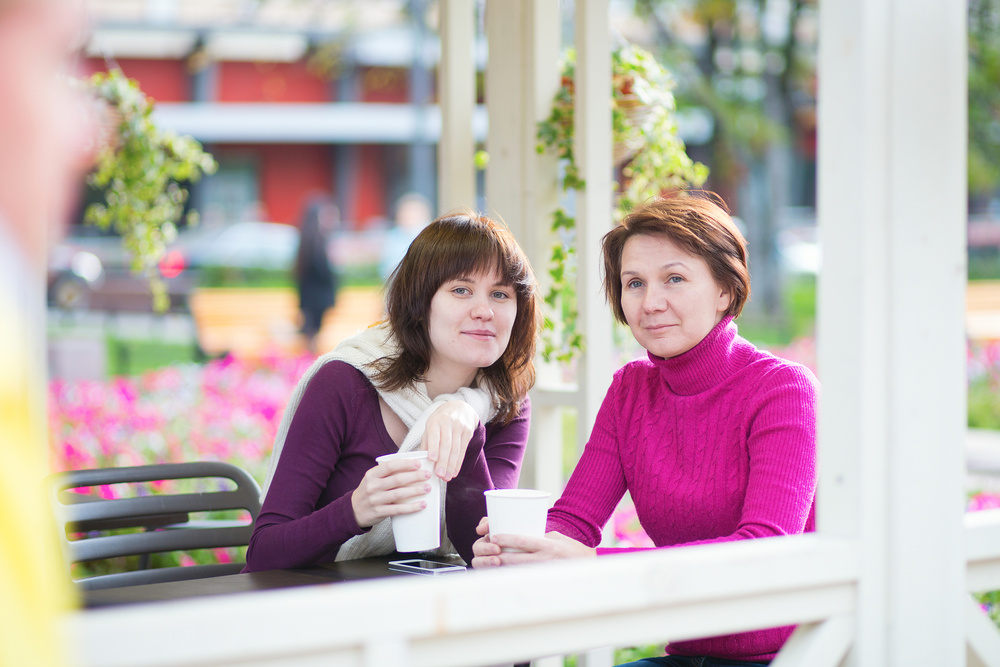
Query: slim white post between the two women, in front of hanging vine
x=593 y=203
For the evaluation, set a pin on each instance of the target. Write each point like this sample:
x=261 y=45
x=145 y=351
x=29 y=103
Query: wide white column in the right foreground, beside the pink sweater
x=891 y=338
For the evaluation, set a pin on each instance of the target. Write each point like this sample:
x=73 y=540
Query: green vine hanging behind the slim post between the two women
x=646 y=141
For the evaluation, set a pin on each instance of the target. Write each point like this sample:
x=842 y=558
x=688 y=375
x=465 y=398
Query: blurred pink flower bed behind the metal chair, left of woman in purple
x=225 y=410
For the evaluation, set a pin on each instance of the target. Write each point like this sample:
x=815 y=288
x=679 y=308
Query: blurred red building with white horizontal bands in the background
x=290 y=113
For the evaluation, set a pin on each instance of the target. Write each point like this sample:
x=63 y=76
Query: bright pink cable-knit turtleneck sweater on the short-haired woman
x=716 y=444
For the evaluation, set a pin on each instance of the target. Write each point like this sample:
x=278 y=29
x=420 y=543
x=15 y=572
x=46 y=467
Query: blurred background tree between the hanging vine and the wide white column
x=751 y=66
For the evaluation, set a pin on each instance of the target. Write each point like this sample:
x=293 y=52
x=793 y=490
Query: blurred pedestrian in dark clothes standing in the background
x=314 y=275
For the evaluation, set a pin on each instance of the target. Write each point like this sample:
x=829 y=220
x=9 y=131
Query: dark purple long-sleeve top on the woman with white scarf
x=333 y=439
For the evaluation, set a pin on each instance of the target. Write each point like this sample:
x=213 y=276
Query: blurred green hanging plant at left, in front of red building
x=140 y=168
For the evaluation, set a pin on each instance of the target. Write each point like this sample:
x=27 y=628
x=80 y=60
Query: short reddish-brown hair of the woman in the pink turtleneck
x=696 y=223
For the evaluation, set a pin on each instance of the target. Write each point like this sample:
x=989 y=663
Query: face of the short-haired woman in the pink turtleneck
x=670 y=299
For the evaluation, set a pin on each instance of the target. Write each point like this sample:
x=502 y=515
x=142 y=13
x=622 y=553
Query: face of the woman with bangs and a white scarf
x=469 y=324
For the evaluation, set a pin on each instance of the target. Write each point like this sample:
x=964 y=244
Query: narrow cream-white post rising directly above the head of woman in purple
x=457 y=84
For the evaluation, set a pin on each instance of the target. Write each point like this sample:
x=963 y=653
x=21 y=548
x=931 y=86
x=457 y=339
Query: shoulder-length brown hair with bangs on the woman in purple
x=458 y=244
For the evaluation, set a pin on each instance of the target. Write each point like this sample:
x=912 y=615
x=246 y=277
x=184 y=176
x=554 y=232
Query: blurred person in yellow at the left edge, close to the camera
x=44 y=135
